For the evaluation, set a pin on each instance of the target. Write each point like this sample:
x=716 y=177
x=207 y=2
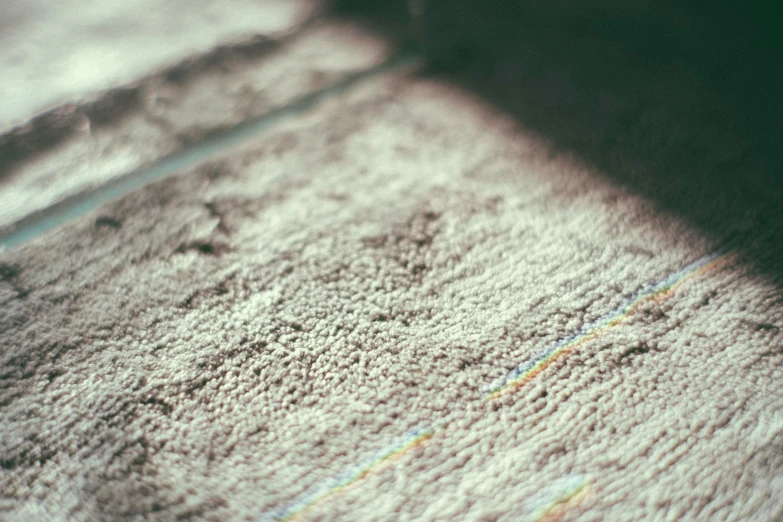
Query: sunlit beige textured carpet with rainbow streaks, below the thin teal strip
x=314 y=324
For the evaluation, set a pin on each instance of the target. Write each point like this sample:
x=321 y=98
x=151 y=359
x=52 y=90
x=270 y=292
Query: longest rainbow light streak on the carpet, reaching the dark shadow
x=526 y=371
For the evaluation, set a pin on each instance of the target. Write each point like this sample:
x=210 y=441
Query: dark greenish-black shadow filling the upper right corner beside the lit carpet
x=679 y=101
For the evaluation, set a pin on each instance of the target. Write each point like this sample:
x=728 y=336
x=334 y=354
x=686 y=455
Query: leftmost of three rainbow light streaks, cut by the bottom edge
x=310 y=498
